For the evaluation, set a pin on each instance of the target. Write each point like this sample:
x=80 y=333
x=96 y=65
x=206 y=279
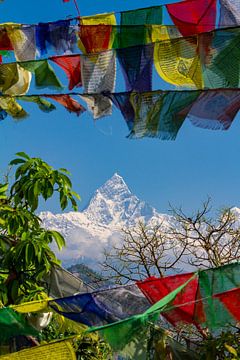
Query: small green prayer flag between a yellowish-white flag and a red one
x=44 y=73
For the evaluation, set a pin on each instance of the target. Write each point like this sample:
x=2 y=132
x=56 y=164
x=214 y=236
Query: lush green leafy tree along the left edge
x=25 y=253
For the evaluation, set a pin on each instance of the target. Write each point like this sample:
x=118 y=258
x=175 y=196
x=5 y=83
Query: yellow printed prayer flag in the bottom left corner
x=58 y=350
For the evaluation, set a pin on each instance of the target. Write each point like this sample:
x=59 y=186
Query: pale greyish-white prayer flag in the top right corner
x=229 y=13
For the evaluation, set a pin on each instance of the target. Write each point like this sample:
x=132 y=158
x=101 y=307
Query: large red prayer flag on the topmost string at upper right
x=193 y=16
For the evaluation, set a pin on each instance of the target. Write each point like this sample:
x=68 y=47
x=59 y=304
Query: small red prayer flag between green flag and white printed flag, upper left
x=72 y=67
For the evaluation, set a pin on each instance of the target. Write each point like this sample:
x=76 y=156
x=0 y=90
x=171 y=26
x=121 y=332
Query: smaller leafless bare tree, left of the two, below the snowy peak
x=145 y=251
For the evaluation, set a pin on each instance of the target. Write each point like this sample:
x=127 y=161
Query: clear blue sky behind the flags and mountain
x=183 y=172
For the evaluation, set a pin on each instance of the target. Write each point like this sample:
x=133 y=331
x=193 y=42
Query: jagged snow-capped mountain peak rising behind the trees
x=112 y=207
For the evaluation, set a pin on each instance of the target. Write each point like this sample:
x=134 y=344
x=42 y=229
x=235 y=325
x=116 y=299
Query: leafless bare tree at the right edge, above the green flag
x=209 y=241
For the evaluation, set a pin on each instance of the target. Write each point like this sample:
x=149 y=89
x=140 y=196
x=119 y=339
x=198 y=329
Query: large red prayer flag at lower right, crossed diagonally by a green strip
x=155 y=289
